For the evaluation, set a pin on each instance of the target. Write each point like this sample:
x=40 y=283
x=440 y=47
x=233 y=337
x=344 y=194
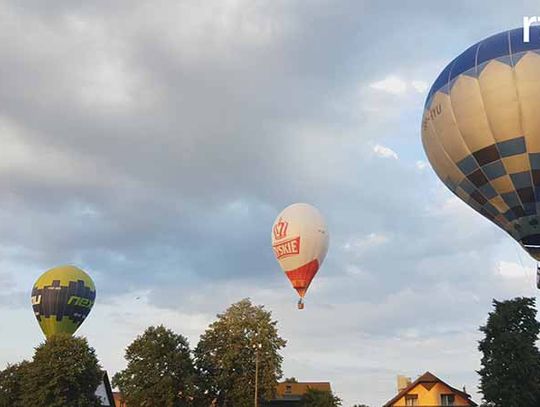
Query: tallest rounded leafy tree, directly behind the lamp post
x=228 y=351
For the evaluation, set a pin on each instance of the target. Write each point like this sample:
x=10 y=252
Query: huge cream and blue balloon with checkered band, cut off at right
x=481 y=132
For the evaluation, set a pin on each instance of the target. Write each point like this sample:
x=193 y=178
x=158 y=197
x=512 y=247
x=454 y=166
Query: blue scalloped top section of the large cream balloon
x=507 y=47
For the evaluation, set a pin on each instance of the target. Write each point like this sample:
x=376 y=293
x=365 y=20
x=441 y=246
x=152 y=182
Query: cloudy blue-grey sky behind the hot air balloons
x=153 y=144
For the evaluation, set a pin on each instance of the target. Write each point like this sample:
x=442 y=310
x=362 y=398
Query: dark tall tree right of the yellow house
x=510 y=373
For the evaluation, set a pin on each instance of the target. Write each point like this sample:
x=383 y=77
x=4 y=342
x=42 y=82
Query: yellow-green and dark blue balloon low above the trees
x=62 y=298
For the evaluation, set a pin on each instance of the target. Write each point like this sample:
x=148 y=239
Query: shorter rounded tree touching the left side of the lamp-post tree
x=159 y=371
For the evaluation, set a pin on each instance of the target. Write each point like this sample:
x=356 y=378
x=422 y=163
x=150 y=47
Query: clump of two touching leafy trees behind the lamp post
x=220 y=370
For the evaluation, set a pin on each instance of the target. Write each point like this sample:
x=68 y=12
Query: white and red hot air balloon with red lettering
x=300 y=243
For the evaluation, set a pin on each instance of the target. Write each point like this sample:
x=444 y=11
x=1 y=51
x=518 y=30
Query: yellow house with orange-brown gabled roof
x=429 y=391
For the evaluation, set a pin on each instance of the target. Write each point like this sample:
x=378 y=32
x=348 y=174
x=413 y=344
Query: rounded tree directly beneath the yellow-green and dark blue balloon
x=64 y=372
